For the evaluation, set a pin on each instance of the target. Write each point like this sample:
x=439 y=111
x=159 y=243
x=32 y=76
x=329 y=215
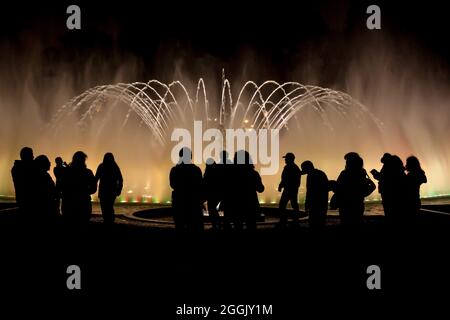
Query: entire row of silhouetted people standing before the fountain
x=230 y=186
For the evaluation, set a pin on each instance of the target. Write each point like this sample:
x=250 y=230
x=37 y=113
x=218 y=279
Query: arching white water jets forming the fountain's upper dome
x=159 y=107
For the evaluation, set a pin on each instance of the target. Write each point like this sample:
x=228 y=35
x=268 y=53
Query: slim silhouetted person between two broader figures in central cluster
x=212 y=186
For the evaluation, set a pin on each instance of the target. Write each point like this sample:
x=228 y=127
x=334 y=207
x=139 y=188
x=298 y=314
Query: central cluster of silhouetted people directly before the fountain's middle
x=226 y=186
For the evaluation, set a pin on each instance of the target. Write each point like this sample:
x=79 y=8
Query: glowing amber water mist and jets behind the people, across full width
x=134 y=120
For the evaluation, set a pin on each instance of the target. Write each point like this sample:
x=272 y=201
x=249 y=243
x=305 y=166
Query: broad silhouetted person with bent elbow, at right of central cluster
x=241 y=203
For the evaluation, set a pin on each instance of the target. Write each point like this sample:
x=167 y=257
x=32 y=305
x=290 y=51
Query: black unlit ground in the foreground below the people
x=153 y=271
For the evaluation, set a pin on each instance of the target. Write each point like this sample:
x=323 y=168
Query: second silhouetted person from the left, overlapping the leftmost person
x=45 y=197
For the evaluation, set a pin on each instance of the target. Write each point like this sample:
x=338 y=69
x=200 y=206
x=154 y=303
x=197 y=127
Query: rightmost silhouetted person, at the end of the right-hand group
x=414 y=178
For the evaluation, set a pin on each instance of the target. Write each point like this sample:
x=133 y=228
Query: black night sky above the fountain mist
x=276 y=30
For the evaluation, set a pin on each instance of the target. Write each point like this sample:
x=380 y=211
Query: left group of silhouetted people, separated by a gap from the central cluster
x=42 y=200
